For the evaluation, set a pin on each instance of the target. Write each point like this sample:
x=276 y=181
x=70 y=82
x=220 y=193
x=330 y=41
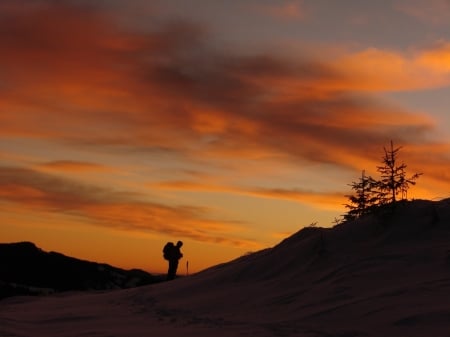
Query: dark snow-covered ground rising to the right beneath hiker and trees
x=384 y=275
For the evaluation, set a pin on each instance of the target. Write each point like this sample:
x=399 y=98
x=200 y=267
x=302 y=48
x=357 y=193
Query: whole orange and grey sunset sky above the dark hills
x=228 y=125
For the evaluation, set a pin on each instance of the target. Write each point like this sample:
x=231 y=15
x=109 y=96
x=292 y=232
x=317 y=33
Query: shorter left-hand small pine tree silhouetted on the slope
x=365 y=197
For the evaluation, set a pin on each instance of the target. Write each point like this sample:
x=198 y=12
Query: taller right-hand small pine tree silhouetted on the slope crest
x=393 y=177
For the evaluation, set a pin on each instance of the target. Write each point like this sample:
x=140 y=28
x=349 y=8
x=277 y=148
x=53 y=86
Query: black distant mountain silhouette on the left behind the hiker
x=28 y=270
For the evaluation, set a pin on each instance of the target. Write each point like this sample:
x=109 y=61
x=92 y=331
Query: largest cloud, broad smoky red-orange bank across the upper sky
x=171 y=82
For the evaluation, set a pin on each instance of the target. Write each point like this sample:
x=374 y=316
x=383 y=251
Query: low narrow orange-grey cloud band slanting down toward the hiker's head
x=41 y=192
